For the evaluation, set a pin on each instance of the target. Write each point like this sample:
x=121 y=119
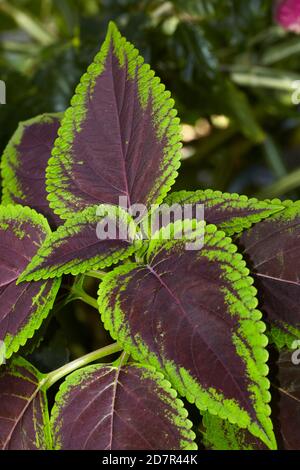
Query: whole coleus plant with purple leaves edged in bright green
x=188 y=325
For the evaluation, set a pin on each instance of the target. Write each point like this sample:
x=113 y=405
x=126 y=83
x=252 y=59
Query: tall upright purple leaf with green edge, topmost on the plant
x=120 y=137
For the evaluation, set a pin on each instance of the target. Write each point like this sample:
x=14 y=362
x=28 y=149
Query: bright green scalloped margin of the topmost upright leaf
x=163 y=111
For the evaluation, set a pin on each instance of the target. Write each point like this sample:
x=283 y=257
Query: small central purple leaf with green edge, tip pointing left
x=75 y=247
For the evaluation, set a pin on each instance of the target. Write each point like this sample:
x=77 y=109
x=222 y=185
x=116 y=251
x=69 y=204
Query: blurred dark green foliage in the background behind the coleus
x=231 y=70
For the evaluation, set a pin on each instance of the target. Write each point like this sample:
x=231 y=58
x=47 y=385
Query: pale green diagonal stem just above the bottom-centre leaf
x=58 y=374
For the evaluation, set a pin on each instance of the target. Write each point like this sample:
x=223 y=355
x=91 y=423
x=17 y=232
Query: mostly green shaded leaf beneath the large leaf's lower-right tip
x=220 y=434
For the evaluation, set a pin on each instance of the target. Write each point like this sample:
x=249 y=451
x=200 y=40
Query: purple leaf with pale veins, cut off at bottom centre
x=113 y=407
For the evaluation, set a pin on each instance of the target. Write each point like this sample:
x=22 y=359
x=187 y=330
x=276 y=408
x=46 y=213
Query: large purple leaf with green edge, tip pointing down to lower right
x=193 y=316
